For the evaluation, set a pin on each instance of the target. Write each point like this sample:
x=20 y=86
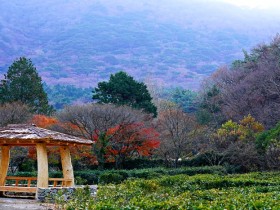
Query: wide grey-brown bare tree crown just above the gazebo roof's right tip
x=90 y=119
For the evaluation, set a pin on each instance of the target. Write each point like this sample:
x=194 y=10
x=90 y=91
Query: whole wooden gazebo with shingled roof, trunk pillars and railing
x=30 y=135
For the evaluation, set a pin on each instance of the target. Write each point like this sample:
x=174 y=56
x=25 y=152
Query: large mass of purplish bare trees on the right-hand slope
x=250 y=86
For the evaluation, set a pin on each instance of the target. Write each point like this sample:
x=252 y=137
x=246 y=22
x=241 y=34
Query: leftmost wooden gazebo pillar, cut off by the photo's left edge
x=4 y=165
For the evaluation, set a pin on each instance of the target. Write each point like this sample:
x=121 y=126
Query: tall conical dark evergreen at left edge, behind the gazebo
x=22 y=83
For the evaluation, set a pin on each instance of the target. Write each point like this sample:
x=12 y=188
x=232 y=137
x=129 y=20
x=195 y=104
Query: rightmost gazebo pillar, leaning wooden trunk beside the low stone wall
x=67 y=167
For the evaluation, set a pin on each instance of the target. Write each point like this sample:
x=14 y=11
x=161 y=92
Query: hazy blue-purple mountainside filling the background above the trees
x=174 y=42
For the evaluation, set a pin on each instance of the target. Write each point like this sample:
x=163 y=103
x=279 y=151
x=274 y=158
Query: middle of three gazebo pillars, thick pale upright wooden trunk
x=42 y=161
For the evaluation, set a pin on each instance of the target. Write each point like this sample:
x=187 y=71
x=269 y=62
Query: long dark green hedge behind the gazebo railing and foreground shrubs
x=117 y=176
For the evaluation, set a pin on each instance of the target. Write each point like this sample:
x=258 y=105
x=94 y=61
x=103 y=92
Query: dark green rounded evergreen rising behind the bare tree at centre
x=122 y=89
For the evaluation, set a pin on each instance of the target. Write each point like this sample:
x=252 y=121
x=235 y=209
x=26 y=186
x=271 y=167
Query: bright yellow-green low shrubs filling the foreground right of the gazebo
x=202 y=191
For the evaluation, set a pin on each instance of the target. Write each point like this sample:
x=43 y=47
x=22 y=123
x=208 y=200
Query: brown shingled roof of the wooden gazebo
x=23 y=134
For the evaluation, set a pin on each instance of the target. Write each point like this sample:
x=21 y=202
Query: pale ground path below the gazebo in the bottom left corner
x=27 y=204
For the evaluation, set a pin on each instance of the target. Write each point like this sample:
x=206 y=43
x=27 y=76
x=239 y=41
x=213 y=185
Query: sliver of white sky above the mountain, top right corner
x=262 y=4
